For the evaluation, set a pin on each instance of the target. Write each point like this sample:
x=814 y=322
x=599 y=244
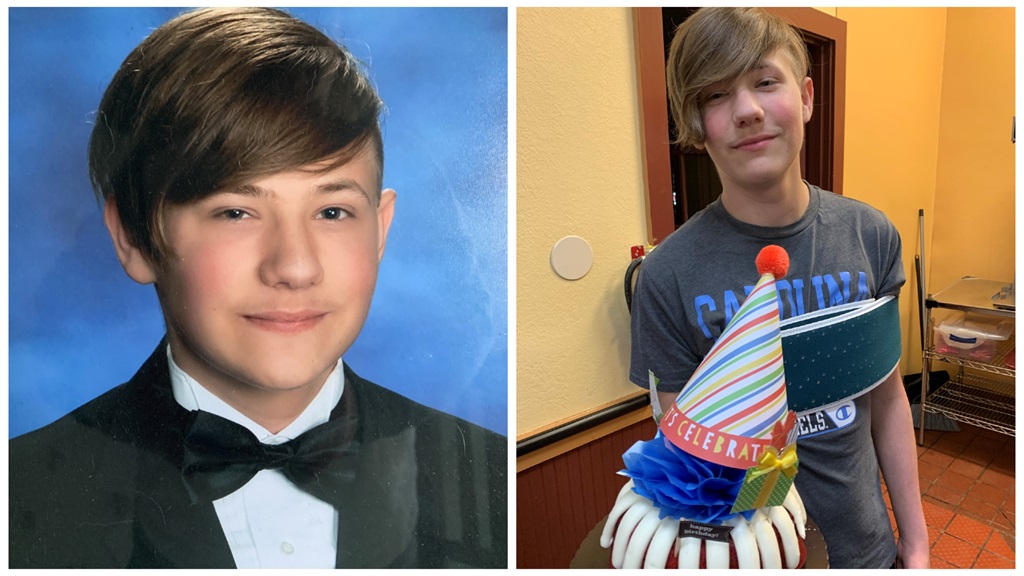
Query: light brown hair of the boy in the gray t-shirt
x=717 y=45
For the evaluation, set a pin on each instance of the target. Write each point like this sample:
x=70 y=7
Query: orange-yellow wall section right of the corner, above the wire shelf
x=973 y=228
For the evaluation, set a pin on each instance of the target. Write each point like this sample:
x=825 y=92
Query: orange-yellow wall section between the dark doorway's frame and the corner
x=893 y=102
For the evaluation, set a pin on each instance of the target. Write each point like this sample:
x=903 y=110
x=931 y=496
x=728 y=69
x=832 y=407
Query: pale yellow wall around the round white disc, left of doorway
x=579 y=174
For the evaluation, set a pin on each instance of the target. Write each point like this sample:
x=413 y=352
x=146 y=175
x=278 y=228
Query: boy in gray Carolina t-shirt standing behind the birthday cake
x=739 y=89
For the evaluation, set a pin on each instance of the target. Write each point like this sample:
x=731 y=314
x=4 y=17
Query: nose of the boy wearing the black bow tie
x=291 y=260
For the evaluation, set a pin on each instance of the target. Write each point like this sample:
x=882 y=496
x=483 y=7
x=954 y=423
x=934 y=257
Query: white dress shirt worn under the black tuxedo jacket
x=269 y=522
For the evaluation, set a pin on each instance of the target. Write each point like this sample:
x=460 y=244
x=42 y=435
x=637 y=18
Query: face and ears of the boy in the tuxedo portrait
x=270 y=284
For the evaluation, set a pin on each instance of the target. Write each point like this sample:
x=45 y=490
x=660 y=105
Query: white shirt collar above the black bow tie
x=193 y=396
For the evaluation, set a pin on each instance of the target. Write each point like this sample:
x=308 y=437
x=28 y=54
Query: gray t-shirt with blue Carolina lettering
x=841 y=251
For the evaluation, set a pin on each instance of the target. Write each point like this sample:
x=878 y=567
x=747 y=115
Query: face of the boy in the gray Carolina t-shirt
x=754 y=125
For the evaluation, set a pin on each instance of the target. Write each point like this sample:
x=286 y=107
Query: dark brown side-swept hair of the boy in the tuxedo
x=218 y=98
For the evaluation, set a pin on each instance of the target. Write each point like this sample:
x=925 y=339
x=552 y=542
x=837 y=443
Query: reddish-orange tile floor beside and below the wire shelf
x=967 y=485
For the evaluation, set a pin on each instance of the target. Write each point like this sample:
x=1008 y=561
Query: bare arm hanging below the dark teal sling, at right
x=892 y=431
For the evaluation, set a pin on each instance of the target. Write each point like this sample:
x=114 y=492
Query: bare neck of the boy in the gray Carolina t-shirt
x=778 y=205
